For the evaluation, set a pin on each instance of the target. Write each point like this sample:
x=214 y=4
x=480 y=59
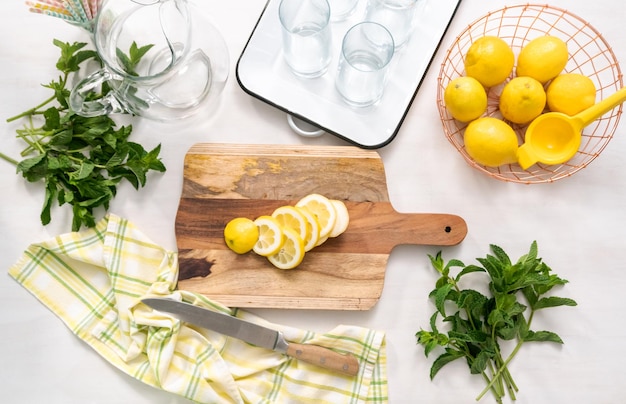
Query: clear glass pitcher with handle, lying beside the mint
x=162 y=60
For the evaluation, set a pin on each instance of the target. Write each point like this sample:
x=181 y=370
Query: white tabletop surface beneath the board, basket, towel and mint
x=578 y=223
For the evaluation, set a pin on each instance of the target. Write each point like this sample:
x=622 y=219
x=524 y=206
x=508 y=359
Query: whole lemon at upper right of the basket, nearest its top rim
x=543 y=58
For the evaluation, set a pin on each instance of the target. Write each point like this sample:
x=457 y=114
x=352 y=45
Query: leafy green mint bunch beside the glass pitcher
x=81 y=160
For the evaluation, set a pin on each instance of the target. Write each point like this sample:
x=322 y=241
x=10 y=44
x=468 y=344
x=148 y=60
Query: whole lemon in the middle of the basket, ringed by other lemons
x=522 y=100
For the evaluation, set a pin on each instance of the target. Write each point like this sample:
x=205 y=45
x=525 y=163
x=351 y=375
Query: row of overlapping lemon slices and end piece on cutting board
x=290 y=231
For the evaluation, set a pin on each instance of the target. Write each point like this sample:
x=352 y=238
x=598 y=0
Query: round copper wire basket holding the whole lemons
x=589 y=54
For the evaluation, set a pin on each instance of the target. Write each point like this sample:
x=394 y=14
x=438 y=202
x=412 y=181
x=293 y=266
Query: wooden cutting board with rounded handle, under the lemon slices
x=223 y=181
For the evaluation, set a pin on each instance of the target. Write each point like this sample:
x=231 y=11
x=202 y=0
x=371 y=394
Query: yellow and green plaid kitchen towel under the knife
x=94 y=280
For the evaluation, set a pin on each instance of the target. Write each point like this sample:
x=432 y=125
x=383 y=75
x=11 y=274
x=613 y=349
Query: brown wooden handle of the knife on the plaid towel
x=324 y=357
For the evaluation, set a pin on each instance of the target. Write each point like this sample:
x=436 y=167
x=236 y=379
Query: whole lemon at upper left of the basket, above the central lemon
x=489 y=60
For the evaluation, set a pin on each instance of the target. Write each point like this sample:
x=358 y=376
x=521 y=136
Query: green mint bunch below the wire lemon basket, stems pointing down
x=477 y=323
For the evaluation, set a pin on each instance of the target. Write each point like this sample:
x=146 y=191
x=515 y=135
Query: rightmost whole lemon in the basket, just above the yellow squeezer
x=571 y=93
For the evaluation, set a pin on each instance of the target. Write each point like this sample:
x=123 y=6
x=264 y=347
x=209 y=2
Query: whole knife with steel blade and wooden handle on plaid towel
x=256 y=335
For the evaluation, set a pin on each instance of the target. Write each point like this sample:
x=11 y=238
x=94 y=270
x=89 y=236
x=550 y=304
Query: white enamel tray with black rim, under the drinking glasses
x=262 y=72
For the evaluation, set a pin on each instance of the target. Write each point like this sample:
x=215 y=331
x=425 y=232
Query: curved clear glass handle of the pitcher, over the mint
x=101 y=106
